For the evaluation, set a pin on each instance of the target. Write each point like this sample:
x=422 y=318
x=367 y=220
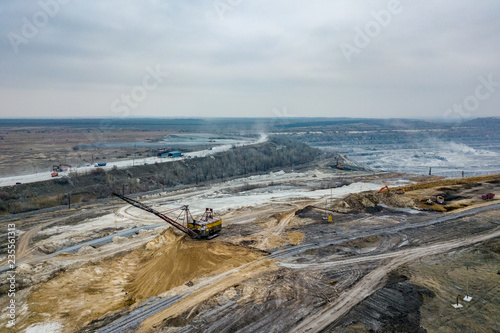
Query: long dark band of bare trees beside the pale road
x=239 y=161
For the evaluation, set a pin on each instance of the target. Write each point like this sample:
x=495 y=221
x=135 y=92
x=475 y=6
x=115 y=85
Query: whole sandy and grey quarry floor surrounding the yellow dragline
x=277 y=251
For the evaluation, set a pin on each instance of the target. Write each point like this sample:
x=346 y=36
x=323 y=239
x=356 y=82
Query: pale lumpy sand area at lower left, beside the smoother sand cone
x=75 y=298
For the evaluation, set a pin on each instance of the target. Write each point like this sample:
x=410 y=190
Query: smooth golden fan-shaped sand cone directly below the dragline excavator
x=173 y=260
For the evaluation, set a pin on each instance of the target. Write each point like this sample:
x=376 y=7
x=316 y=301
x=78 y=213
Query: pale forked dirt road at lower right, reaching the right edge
x=374 y=280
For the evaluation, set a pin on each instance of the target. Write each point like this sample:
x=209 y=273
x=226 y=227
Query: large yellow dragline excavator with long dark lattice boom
x=206 y=227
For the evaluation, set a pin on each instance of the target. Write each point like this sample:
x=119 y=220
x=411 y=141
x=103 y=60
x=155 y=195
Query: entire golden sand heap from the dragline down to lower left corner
x=76 y=297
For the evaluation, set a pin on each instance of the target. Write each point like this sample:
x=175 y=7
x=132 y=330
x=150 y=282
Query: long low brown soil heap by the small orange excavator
x=357 y=202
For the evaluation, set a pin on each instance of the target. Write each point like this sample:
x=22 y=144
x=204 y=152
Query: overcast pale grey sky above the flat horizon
x=250 y=58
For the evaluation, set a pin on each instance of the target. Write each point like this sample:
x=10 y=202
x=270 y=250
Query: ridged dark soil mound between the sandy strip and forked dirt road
x=288 y=296
